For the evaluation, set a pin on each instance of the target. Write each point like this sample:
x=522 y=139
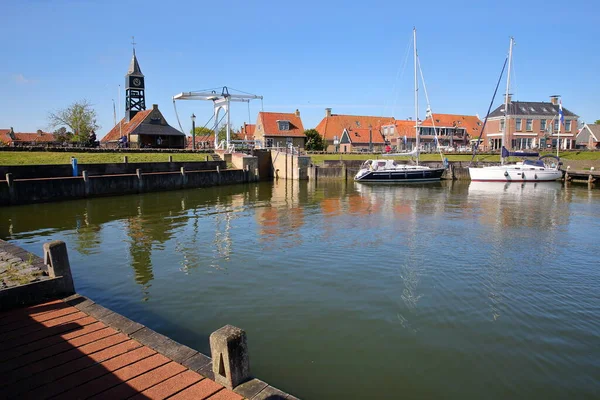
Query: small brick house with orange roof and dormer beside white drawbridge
x=280 y=129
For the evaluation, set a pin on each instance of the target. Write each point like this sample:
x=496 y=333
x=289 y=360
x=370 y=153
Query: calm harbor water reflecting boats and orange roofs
x=350 y=291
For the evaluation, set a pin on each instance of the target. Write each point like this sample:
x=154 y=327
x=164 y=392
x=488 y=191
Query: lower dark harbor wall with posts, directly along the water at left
x=38 y=190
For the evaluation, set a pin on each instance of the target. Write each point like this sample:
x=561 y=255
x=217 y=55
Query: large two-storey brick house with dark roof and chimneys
x=532 y=125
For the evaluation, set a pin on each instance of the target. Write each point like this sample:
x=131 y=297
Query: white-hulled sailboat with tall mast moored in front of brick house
x=546 y=168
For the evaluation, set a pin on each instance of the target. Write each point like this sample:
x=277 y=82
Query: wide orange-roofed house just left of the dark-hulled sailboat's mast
x=356 y=127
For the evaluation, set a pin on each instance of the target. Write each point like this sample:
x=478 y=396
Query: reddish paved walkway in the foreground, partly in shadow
x=56 y=350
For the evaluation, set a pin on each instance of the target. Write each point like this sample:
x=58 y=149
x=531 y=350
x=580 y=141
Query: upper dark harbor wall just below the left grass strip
x=66 y=170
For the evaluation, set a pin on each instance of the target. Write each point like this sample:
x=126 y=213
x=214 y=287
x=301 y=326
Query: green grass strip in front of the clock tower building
x=37 y=158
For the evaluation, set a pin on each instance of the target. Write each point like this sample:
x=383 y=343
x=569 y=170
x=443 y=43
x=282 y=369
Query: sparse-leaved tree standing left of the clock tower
x=79 y=117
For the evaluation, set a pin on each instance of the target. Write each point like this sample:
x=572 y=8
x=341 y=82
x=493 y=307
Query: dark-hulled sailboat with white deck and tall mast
x=388 y=171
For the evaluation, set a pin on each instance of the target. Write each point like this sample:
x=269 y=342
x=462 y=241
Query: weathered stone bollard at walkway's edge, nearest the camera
x=229 y=350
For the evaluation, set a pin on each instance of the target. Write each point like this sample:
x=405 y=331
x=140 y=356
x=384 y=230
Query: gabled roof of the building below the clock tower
x=147 y=122
